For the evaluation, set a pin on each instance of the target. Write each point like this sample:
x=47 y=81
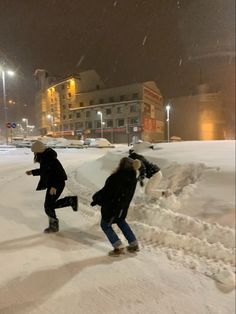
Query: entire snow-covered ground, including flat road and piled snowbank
x=186 y=263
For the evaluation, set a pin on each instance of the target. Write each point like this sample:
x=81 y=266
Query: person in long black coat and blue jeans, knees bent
x=114 y=199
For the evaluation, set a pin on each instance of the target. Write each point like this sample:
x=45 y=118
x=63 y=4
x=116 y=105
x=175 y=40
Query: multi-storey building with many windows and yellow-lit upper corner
x=80 y=106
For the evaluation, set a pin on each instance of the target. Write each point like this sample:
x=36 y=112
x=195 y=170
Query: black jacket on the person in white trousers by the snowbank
x=147 y=169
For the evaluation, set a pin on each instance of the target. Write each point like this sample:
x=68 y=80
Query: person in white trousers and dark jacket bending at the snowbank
x=150 y=171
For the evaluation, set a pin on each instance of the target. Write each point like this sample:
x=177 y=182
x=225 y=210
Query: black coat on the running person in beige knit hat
x=51 y=172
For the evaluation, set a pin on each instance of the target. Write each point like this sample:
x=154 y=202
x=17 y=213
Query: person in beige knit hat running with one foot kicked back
x=52 y=178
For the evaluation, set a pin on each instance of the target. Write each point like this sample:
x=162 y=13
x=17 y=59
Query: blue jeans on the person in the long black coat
x=113 y=237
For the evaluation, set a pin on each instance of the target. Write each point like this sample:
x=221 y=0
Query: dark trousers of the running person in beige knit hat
x=51 y=201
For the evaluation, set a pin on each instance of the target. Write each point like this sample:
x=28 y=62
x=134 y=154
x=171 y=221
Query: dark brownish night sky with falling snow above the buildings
x=124 y=40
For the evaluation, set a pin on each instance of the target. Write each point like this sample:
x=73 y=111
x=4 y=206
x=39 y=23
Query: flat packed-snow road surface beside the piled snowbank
x=70 y=272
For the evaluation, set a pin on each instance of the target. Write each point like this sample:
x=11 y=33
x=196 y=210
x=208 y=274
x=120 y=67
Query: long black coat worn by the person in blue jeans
x=116 y=195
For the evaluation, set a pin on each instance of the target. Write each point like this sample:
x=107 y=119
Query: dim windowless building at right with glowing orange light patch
x=198 y=117
